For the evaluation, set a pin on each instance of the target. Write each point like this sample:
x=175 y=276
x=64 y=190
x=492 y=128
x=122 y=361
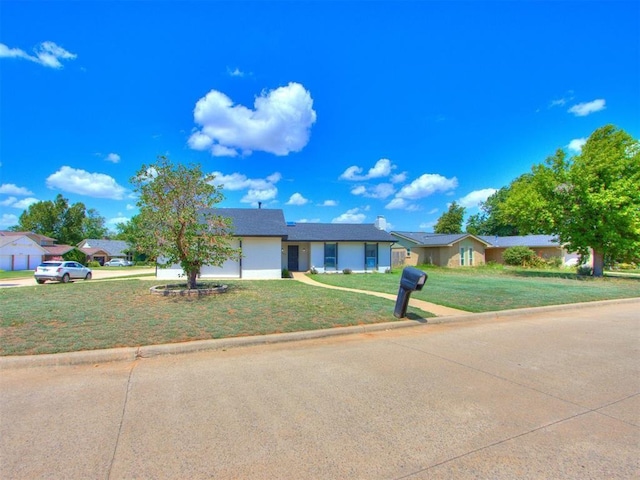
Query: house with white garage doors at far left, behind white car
x=26 y=250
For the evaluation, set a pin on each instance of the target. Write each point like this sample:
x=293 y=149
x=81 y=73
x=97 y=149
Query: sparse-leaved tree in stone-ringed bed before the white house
x=177 y=223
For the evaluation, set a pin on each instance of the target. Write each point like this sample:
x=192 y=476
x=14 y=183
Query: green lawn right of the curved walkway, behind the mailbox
x=492 y=289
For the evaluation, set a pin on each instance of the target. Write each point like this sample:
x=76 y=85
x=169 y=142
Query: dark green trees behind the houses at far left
x=57 y=219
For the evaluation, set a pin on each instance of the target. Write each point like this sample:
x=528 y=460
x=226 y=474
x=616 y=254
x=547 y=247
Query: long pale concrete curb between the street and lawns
x=130 y=354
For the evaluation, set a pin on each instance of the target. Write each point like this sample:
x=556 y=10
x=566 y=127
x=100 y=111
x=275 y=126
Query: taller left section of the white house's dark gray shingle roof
x=254 y=222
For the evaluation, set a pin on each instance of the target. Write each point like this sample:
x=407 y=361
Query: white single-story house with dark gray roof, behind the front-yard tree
x=268 y=245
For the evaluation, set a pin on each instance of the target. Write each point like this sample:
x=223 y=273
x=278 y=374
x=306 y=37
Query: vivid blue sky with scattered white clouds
x=332 y=111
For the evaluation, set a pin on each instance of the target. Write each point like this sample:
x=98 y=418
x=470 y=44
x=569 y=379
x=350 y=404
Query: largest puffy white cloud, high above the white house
x=280 y=122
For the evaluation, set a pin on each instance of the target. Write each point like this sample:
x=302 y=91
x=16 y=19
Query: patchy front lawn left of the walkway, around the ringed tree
x=54 y=318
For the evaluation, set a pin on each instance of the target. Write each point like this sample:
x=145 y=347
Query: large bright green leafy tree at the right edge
x=591 y=201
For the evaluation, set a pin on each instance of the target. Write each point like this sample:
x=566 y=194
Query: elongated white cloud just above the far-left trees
x=97 y=185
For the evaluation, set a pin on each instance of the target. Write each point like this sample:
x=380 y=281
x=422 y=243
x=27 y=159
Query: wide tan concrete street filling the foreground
x=540 y=395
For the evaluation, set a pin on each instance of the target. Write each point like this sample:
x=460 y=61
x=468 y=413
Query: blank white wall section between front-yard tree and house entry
x=261 y=258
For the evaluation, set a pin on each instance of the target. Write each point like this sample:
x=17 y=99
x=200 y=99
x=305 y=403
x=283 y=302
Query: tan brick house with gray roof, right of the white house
x=464 y=249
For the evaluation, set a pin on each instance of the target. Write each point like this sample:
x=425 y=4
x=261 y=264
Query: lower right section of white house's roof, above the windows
x=336 y=232
